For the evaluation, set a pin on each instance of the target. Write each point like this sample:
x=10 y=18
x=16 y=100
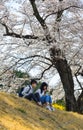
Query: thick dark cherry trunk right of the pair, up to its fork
x=65 y=73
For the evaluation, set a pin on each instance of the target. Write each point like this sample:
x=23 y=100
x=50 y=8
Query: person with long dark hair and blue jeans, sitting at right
x=44 y=97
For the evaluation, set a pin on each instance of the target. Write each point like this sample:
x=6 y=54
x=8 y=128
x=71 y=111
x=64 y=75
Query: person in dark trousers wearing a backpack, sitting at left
x=28 y=92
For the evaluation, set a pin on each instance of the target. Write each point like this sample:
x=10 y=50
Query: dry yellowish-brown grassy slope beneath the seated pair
x=20 y=114
